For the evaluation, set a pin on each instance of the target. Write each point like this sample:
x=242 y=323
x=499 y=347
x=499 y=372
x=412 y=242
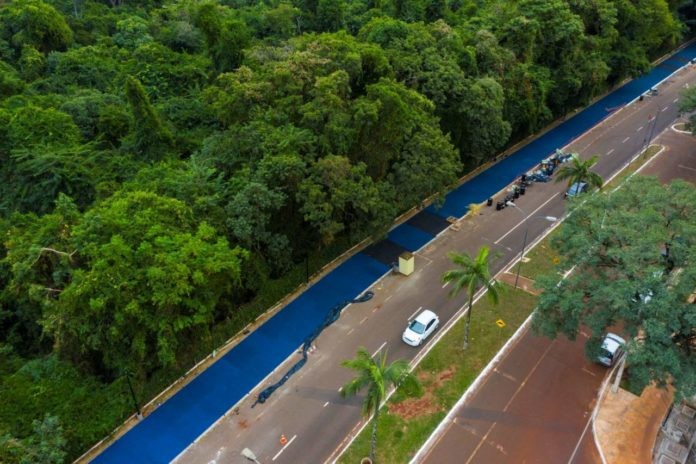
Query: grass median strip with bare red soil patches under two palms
x=446 y=372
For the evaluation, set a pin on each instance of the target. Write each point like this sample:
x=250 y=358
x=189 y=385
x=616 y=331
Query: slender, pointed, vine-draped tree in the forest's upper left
x=151 y=138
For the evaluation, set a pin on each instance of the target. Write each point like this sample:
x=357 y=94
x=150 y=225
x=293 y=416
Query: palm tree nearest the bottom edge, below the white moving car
x=377 y=377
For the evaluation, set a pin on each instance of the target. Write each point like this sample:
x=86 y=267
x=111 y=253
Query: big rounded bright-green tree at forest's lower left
x=150 y=280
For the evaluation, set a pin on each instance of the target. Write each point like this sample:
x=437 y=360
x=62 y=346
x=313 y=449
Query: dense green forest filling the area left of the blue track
x=166 y=168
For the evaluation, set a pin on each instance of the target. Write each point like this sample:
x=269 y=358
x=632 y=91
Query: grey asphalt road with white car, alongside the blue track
x=309 y=411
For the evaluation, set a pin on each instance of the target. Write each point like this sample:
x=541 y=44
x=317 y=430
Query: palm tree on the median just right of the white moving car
x=471 y=273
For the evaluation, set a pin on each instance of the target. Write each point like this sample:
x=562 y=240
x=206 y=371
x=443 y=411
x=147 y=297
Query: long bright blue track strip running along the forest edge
x=162 y=435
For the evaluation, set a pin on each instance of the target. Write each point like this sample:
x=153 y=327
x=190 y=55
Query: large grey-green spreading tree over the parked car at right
x=633 y=254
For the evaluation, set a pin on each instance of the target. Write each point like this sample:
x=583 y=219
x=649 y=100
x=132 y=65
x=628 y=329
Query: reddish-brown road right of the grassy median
x=535 y=407
